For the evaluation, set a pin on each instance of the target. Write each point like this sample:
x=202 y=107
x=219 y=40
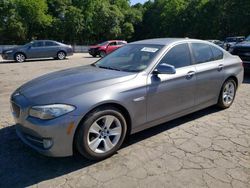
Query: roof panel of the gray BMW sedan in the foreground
x=166 y=41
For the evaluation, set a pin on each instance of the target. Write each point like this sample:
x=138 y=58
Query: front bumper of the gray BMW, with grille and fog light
x=48 y=137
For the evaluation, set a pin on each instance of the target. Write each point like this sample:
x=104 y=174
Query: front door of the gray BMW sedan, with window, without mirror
x=169 y=94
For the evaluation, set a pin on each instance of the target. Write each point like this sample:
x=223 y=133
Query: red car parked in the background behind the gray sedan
x=106 y=47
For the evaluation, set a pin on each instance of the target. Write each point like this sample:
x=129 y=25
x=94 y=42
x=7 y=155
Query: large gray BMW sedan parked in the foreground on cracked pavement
x=143 y=84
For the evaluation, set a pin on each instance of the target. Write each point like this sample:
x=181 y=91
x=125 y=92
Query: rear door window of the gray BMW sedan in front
x=202 y=53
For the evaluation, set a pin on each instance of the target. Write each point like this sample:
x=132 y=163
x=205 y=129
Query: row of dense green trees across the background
x=91 y=21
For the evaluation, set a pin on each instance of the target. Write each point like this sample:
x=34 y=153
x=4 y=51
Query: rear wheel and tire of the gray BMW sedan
x=227 y=94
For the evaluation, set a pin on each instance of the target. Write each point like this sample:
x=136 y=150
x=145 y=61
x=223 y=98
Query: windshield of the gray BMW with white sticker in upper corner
x=130 y=58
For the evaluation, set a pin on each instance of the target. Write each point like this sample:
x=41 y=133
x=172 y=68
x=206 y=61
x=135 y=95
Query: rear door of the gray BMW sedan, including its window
x=209 y=72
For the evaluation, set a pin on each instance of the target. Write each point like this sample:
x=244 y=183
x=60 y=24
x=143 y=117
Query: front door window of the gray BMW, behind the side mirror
x=178 y=56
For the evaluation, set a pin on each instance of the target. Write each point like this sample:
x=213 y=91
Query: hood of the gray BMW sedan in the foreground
x=71 y=82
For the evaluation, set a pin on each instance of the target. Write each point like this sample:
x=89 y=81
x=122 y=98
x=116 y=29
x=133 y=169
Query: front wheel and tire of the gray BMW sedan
x=96 y=142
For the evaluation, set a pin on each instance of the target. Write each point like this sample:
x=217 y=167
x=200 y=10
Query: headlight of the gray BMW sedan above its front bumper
x=50 y=111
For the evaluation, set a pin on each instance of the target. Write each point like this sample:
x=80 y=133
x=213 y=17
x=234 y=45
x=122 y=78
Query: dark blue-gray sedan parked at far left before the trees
x=38 y=49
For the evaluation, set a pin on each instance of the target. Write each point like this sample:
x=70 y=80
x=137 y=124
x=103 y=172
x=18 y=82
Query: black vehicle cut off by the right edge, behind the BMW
x=243 y=51
